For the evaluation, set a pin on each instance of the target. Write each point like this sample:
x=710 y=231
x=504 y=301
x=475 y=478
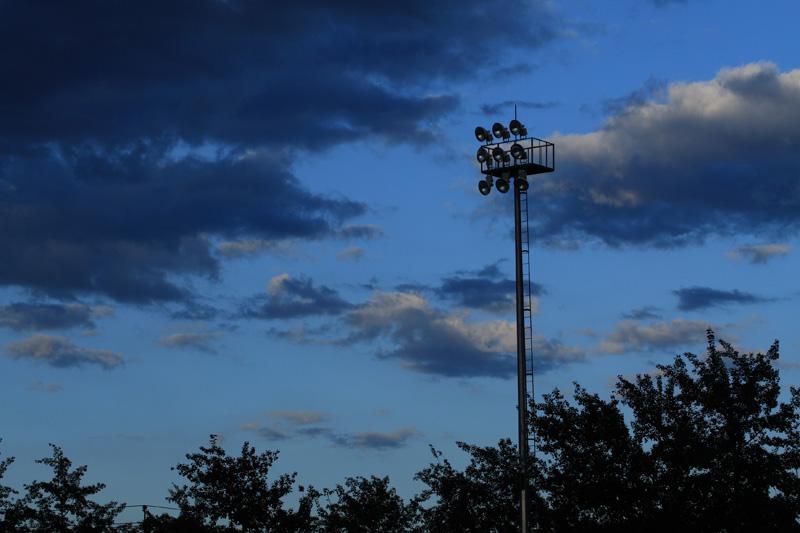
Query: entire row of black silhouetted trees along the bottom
x=709 y=446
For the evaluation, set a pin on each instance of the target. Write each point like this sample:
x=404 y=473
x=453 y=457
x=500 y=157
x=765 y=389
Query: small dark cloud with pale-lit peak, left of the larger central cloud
x=293 y=298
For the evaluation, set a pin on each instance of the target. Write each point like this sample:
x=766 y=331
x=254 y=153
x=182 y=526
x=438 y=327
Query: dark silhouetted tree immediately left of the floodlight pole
x=483 y=498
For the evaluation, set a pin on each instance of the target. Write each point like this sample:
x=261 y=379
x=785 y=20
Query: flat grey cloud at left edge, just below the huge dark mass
x=22 y=316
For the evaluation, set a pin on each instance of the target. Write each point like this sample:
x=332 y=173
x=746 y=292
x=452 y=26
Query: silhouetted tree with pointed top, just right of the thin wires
x=236 y=490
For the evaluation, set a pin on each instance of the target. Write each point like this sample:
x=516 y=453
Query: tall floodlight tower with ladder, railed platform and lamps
x=501 y=162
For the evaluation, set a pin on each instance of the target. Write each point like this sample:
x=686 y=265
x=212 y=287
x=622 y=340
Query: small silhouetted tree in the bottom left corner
x=61 y=504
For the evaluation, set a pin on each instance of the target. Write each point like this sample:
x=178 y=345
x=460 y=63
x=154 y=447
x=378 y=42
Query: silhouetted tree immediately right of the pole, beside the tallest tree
x=589 y=469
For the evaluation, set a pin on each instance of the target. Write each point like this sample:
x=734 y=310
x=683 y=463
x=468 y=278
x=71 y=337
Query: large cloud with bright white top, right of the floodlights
x=711 y=157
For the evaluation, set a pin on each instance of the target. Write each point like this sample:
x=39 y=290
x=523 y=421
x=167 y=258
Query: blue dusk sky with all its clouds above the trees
x=262 y=221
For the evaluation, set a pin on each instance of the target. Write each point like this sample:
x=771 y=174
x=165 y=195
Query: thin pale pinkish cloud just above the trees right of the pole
x=630 y=336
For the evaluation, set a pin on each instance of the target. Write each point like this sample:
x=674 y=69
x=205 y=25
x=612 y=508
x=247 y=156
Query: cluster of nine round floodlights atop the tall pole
x=498 y=162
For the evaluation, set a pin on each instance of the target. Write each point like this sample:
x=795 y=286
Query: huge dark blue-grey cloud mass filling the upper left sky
x=135 y=133
